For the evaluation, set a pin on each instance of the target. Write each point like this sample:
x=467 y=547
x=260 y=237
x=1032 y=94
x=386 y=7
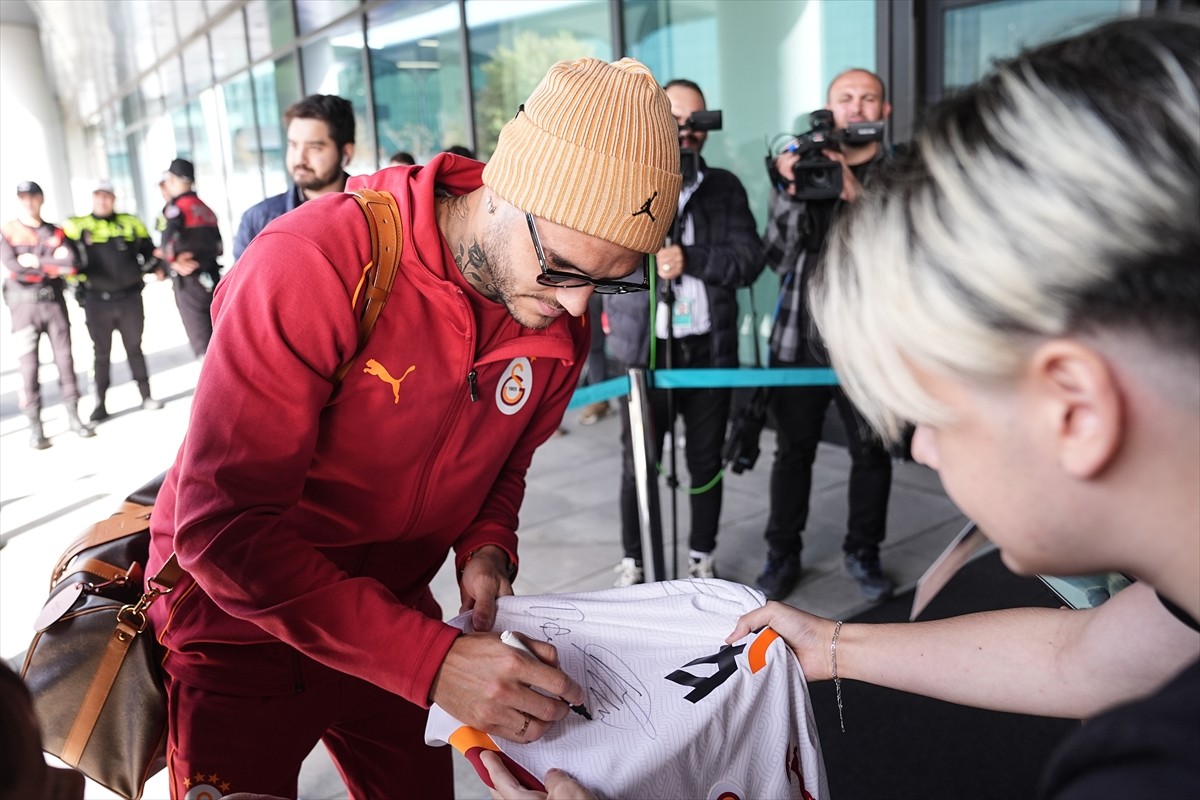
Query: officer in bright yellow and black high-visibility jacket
x=117 y=251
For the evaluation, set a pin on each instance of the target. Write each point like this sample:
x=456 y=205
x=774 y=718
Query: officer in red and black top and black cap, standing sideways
x=191 y=245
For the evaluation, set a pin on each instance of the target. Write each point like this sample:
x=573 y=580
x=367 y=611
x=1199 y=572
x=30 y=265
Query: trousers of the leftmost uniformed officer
x=31 y=321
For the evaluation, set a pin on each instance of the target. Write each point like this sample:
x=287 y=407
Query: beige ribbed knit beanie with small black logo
x=597 y=151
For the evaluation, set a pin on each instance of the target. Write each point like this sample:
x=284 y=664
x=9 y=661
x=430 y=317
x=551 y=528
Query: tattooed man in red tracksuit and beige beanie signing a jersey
x=311 y=515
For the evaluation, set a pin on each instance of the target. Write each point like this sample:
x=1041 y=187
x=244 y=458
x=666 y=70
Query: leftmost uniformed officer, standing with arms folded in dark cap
x=38 y=258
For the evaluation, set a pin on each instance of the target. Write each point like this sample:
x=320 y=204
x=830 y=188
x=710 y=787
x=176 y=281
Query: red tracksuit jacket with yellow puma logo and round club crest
x=311 y=521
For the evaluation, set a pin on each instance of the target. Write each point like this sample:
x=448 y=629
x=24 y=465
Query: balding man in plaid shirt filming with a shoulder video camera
x=796 y=233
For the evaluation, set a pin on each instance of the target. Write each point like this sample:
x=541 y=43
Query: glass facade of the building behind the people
x=213 y=82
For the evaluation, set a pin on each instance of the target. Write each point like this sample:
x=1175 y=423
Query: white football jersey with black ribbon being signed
x=676 y=713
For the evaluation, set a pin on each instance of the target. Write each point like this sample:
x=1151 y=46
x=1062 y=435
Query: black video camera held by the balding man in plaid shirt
x=818 y=178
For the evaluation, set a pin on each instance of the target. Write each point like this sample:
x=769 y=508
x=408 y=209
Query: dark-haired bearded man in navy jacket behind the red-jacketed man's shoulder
x=321 y=145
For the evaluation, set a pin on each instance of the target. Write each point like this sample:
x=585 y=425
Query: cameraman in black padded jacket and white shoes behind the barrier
x=715 y=250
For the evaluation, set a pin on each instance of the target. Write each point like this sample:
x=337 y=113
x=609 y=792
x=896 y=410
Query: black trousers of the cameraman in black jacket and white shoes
x=705 y=414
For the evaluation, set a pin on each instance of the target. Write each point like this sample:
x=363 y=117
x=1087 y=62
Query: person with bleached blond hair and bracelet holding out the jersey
x=1034 y=312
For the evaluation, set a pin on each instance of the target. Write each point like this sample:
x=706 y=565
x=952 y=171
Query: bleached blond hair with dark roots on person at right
x=1059 y=196
